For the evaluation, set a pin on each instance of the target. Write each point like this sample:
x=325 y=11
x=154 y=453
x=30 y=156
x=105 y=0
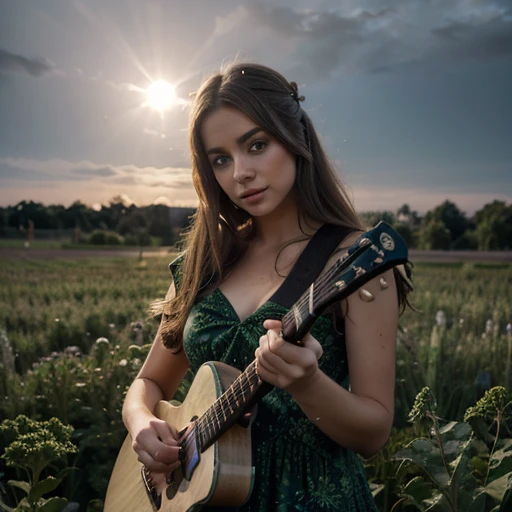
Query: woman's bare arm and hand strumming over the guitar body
x=158 y=379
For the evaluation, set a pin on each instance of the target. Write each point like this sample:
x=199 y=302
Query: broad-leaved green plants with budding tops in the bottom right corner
x=460 y=466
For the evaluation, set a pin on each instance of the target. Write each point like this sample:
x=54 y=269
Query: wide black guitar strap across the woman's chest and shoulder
x=310 y=264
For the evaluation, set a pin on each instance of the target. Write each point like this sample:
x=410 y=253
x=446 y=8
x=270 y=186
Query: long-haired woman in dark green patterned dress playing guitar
x=265 y=186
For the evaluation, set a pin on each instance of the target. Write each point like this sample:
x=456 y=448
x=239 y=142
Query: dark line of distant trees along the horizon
x=444 y=227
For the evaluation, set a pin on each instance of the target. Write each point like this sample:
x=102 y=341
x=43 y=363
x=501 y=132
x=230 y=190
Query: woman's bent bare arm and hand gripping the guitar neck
x=359 y=419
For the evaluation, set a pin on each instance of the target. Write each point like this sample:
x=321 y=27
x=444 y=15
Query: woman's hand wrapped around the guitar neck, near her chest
x=283 y=364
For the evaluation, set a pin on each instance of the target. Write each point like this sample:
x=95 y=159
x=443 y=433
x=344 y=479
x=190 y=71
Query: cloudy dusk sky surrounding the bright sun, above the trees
x=412 y=98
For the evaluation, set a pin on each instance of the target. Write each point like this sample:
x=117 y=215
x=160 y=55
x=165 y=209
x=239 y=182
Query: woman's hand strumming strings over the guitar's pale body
x=156 y=446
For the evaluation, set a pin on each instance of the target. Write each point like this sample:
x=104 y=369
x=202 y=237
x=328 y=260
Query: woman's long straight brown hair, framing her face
x=220 y=231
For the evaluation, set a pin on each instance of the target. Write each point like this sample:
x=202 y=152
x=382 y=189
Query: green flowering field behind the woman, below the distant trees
x=74 y=332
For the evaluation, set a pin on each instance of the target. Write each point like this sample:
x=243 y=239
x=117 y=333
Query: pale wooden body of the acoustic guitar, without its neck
x=224 y=473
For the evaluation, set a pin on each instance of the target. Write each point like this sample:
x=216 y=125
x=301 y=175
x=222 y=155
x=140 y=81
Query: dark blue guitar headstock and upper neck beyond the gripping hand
x=376 y=251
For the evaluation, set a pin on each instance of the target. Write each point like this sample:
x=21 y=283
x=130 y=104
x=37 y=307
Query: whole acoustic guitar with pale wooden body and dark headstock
x=213 y=429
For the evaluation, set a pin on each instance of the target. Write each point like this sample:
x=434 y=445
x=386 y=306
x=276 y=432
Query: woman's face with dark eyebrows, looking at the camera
x=255 y=170
